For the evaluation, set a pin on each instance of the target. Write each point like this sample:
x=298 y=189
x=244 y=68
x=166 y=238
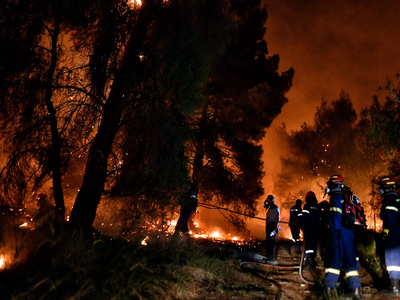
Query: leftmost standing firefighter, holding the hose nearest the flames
x=272 y=228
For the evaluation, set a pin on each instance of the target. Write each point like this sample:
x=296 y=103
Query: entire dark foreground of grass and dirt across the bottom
x=166 y=268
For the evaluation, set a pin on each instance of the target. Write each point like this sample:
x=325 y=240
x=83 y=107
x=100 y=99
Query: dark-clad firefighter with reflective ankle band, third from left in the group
x=310 y=229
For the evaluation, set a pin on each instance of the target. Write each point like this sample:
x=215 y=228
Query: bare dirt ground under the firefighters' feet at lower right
x=288 y=284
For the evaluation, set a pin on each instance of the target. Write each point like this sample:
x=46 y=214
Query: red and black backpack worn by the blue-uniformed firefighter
x=352 y=212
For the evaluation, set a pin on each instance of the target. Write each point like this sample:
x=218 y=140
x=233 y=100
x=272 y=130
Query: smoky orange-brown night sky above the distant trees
x=333 y=45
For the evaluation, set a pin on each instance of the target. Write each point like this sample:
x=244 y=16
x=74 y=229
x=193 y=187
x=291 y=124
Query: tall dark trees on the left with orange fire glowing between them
x=129 y=101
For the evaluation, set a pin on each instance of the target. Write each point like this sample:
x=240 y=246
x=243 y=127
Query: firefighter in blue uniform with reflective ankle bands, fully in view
x=341 y=251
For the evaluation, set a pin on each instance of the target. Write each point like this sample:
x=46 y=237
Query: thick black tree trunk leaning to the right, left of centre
x=84 y=211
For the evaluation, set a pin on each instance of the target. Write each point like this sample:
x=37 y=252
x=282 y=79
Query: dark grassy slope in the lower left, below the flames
x=114 y=268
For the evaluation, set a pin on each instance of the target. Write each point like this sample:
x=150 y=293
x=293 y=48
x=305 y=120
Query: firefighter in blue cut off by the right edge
x=391 y=232
